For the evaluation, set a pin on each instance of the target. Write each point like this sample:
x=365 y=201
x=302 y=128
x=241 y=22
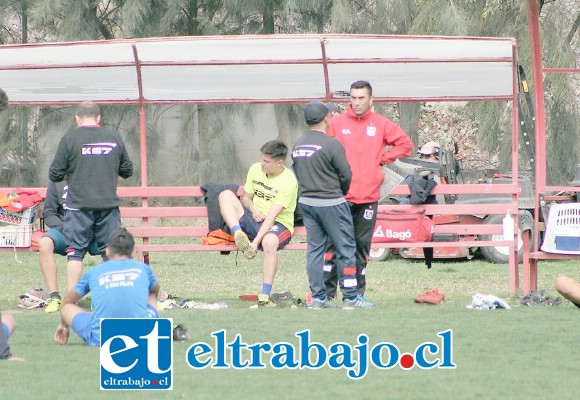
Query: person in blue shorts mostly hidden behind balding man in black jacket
x=53 y=241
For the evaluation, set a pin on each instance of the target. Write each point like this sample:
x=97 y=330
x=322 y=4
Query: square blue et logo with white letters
x=136 y=353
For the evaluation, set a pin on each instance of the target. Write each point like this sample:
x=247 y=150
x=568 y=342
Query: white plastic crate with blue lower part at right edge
x=562 y=234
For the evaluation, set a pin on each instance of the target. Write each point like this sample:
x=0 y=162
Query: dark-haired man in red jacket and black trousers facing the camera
x=365 y=136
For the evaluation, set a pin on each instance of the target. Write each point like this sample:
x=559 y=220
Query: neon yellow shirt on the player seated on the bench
x=281 y=190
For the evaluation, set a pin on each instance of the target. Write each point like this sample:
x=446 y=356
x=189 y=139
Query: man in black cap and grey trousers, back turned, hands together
x=324 y=177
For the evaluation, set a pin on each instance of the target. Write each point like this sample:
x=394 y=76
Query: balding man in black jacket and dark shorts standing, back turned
x=92 y=159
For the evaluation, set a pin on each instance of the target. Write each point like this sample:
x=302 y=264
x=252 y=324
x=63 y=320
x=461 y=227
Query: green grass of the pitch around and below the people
x=504 y=354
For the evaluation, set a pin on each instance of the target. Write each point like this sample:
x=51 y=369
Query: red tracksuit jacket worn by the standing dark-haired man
x=364 y=139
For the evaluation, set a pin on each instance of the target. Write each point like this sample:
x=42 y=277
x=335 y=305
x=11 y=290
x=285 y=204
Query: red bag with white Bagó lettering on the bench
x=402 y=226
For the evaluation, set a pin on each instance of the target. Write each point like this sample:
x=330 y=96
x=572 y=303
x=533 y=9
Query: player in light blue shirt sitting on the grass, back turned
x=120 y=288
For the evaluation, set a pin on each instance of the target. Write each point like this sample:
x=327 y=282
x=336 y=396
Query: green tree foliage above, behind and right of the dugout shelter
x=58 y=20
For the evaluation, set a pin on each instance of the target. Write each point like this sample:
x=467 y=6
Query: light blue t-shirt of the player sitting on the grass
x=119 y=289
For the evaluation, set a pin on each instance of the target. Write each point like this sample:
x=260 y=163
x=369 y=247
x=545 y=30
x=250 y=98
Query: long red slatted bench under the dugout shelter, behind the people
x=174 y=219
